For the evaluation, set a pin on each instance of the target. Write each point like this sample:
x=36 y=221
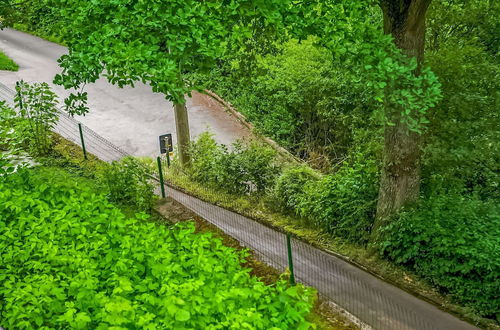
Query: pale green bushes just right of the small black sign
x=240 y=169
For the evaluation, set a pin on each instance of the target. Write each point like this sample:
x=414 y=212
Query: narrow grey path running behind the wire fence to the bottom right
x=373 y=301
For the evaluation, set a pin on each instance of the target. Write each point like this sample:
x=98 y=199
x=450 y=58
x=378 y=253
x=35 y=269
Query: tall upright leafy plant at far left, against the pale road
x=37 y=106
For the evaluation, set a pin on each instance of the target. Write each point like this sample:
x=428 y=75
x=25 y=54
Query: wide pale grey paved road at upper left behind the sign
x=131 y=118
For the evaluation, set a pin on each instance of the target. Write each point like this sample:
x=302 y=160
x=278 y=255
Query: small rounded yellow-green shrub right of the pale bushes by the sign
x=290 y=185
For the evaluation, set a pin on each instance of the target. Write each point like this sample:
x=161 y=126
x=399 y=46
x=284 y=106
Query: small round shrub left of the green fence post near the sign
x=128 y=182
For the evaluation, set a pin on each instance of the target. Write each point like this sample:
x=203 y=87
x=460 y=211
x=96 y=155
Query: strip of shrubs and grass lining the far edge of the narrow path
x=426 y=247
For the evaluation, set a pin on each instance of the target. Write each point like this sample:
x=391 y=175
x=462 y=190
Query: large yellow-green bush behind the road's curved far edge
x=298 y=97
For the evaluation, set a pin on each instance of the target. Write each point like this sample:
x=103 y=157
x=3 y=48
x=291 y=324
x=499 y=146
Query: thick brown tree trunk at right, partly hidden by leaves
x=400 y=180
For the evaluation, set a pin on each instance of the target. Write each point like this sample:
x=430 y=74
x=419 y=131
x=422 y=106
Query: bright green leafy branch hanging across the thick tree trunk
x=348 y=30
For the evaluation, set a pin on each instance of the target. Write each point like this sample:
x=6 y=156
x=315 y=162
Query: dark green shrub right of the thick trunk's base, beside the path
x=453 y=241
